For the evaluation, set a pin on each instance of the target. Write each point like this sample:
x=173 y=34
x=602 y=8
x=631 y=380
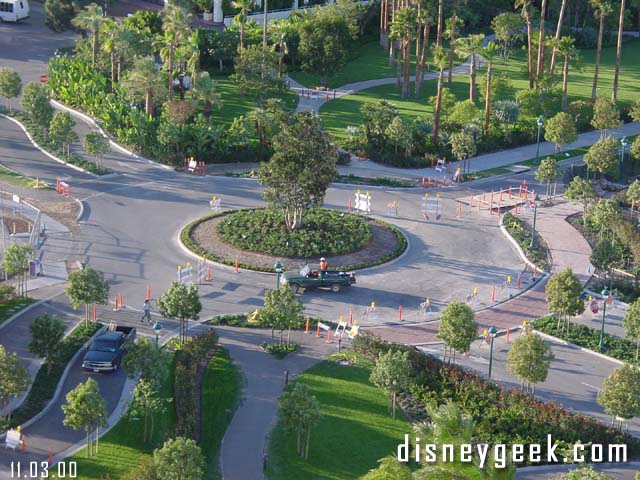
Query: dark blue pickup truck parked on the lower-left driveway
x=106 y=350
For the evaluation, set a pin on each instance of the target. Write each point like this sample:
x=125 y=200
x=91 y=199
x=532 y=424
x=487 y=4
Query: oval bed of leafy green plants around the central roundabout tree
x=325 y=232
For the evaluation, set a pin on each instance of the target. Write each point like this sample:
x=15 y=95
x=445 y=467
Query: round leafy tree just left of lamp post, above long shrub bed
x=458 y=328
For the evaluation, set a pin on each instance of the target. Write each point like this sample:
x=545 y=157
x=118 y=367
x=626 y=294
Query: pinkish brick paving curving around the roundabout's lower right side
x=568 y=249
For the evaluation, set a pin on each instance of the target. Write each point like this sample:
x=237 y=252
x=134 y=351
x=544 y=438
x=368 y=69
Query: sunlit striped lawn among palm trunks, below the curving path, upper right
x=345 y=111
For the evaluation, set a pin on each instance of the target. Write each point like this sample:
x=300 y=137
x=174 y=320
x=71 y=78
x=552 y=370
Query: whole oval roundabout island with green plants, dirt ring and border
x=246 y=237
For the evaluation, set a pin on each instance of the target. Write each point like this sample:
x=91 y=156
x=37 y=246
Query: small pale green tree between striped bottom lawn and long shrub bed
x=392 y=373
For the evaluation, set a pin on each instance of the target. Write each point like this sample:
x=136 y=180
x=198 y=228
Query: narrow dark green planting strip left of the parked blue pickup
x=45 y=383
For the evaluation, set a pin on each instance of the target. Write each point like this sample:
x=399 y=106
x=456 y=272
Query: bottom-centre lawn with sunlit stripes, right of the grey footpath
x=354 y=431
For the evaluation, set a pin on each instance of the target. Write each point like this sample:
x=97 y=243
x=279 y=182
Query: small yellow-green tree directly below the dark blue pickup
x=85 y=409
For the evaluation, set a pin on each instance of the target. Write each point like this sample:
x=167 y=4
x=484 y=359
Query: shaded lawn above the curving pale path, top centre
x=370 y=61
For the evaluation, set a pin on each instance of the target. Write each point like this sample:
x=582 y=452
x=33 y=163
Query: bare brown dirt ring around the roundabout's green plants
x=383 y=242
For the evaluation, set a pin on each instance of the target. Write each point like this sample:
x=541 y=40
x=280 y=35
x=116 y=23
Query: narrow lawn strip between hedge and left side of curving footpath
x=220 y=396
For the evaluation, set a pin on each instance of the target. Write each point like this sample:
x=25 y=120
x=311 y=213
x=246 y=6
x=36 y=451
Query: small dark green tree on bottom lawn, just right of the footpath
x=299 y=412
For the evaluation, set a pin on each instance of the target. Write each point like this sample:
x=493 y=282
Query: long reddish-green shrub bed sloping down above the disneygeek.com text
x=500 y=416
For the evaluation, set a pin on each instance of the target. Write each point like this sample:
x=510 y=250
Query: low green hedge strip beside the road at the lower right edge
x=616 y=347
